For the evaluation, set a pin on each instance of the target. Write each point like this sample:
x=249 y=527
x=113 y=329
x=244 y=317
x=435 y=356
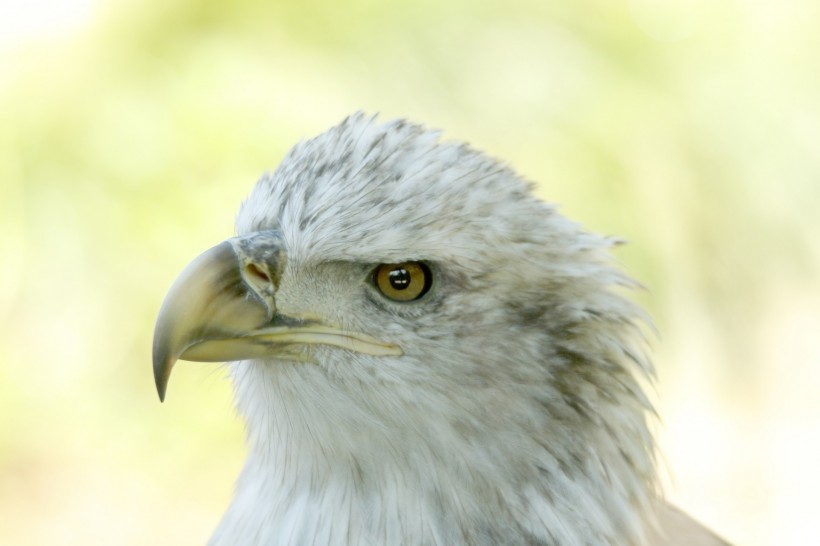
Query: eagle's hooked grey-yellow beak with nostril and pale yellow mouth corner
x=222 y=308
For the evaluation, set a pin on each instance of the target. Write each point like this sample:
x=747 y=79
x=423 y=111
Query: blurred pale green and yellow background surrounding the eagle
x=131 y=130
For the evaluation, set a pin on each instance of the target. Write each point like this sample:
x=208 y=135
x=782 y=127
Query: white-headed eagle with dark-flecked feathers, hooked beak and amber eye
x=424 y=353
